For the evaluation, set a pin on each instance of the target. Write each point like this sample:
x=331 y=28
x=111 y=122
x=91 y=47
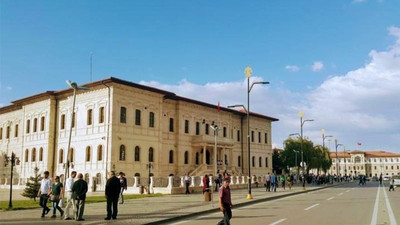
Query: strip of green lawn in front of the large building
x=30 y=204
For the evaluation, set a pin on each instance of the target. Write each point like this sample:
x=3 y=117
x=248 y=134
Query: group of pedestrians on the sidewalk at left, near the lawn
x=75 y=193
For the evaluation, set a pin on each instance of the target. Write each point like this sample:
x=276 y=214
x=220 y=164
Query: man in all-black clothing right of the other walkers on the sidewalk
x=113 y=188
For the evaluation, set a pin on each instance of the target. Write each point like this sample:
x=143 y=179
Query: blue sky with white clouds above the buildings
x=336 y=61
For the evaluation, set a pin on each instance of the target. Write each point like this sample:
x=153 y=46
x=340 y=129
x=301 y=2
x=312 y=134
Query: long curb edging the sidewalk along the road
x=239 y=205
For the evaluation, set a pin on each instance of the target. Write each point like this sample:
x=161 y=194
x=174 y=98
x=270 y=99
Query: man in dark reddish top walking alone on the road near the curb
x=225 y=203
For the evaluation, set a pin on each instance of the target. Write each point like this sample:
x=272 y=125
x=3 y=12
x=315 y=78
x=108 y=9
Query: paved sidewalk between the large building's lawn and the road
x=147 y=210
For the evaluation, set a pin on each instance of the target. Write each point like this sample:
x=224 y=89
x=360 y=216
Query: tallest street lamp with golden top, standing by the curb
x=248 y=71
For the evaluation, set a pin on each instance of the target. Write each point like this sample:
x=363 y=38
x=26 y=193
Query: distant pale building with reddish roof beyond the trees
x=369 y=163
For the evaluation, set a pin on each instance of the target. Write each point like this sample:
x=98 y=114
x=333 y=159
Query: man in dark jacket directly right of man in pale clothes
x=79 y=190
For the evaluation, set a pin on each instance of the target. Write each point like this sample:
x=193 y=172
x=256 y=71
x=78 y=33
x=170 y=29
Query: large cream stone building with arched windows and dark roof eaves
x=122 y=126
